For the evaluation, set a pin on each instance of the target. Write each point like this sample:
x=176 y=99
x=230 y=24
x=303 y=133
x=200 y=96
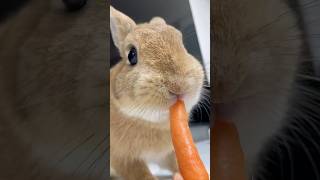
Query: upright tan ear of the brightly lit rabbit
x=120 y=26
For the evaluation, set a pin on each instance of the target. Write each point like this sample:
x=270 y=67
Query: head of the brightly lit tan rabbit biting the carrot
x=154 y=71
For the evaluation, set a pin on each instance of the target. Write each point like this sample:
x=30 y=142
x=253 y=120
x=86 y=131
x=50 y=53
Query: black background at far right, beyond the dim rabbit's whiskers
x=294 y=153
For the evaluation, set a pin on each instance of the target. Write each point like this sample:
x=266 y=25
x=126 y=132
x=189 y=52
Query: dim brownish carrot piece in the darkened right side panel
x=228 y=158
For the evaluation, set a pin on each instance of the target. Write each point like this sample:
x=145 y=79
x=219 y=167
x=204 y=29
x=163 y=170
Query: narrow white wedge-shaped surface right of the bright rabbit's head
x=200 y=10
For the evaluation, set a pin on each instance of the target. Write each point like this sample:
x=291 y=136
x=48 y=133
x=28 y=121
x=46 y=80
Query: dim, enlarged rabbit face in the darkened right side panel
x=257 y=46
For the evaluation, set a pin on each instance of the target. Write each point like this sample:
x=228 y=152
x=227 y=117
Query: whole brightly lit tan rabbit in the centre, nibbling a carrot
x=155 y=69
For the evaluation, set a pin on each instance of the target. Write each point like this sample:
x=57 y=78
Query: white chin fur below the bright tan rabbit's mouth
x=158 y=114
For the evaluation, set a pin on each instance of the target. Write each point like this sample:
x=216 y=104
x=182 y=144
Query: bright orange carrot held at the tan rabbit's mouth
x=190 y=164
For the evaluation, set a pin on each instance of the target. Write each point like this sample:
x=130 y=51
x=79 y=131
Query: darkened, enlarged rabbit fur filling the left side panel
x=53 y=91
